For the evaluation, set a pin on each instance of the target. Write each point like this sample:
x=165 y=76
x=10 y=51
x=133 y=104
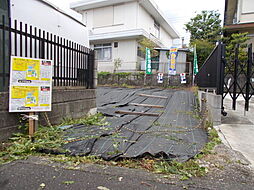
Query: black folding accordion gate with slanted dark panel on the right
x=230 y=76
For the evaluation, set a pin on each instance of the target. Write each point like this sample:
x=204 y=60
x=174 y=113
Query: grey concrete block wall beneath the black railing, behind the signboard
x=67 y=102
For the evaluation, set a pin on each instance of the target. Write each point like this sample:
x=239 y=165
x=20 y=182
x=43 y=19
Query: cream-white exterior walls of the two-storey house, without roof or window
x=118 y=18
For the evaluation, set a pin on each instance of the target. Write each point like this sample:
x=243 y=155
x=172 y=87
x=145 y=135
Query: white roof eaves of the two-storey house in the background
x=149 y=5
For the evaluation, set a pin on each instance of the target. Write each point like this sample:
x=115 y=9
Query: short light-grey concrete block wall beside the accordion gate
x=212 y=103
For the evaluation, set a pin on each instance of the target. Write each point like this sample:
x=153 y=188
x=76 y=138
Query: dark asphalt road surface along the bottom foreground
x=40 y=173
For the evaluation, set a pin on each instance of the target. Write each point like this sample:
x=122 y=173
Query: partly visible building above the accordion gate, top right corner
x=239 y=17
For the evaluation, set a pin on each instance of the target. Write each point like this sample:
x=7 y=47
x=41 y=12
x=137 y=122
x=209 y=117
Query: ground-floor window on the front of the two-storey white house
x=103 y=52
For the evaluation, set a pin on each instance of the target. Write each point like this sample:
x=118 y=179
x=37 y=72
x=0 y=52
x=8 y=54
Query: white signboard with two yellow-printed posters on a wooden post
x=30 y=85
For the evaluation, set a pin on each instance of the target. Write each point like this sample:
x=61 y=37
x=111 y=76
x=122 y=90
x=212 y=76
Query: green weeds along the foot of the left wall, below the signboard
x=20 y=146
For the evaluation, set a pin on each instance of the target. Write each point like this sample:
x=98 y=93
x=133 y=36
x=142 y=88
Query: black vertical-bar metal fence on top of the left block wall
x=73 y=63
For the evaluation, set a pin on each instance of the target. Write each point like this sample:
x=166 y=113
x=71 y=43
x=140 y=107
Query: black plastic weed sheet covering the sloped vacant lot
x=175 y=134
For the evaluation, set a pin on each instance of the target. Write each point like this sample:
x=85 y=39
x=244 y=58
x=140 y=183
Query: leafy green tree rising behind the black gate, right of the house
x=205 y=26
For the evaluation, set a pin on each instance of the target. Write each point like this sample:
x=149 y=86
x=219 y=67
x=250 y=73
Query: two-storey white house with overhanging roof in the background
x=116 y=26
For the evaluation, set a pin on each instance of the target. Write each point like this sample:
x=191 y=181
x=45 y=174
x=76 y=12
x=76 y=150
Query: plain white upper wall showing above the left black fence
x=42 y=16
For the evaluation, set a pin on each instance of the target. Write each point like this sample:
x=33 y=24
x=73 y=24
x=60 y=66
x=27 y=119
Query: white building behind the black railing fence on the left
x=42 y=15
